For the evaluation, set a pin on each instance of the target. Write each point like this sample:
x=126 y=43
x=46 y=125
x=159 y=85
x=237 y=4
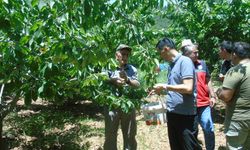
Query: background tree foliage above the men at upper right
x=208 y=23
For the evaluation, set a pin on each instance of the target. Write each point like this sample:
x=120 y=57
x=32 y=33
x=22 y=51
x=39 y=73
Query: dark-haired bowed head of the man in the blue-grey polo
x=164 y=47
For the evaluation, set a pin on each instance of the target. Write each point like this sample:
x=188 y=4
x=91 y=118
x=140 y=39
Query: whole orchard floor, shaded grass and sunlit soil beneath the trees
x=81 y=126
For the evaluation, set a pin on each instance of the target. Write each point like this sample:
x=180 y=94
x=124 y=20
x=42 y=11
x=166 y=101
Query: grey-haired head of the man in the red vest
x=190 y=51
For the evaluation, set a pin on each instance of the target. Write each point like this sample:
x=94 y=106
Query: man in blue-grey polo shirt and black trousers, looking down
x=181 y=104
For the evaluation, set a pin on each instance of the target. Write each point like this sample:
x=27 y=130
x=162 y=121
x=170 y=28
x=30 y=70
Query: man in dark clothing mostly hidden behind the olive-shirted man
x=225 y=54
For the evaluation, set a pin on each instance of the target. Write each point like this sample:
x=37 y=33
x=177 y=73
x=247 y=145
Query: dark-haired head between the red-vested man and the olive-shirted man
x=226 y=48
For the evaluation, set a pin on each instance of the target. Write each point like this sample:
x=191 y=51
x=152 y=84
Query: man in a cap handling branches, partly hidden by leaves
x=125 y=75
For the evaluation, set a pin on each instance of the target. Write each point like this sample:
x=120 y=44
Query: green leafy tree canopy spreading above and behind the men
x=57 y=50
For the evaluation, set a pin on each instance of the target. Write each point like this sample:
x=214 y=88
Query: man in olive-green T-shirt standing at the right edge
x=235 y=93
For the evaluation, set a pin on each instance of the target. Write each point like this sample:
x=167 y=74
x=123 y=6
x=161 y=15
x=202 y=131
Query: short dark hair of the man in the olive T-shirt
x=242 y=49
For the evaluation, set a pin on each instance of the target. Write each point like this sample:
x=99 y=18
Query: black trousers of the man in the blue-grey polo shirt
x=181 y=130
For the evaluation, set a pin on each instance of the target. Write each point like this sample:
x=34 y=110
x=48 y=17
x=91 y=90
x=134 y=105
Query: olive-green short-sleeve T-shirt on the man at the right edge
x=238 y=78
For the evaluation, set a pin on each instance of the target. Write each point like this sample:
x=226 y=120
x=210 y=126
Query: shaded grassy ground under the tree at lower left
x=50 y=127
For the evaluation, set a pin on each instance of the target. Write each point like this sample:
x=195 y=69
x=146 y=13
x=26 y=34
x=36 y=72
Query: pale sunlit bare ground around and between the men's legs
x=155 y=137
